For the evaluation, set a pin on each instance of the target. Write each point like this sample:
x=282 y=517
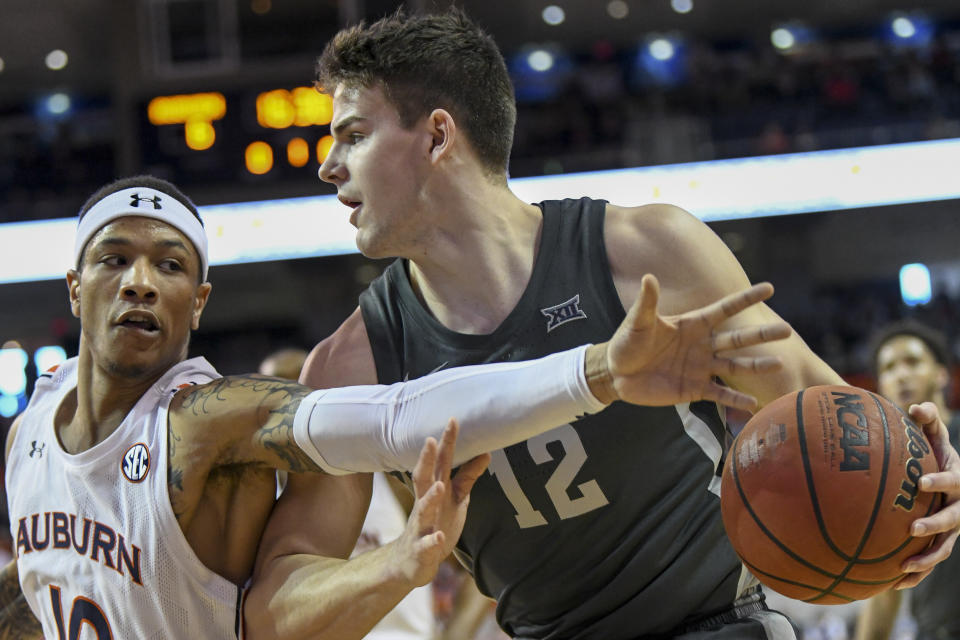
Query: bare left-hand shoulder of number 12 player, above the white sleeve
x=343 y=358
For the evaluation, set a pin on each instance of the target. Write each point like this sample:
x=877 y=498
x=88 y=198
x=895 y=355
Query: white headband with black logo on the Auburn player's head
x=149 y=203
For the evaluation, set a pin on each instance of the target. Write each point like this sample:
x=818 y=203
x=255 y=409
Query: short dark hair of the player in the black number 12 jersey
x=425 y=62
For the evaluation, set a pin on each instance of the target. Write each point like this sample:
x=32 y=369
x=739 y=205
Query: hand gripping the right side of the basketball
x=945 y=523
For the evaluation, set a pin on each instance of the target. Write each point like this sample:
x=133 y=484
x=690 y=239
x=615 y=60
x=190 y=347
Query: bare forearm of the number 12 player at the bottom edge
x=316 y=598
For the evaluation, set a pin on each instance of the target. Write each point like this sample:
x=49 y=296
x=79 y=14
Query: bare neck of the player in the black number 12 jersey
x=475 y=271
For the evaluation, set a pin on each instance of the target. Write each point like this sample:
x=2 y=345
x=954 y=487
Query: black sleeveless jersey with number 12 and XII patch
x=606 y=528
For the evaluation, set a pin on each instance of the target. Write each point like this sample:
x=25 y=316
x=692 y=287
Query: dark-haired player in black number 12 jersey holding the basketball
x=608 y=528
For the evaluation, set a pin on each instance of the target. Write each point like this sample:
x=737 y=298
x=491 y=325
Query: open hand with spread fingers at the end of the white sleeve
x=660 y=360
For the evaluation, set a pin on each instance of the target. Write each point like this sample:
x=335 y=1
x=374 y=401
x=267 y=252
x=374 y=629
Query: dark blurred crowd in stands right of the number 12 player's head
x=741 y=101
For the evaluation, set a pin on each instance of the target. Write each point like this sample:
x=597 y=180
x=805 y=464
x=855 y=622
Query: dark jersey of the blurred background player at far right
x=933 y=602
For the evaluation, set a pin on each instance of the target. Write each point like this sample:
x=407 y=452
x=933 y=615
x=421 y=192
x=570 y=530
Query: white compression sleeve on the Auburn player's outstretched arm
x=381 y=427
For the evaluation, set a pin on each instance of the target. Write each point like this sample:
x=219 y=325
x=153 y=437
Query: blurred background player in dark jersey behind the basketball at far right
x=912 y=364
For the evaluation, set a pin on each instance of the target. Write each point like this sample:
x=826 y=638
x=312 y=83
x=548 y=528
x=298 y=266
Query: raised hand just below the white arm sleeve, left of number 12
x=440 y=509
